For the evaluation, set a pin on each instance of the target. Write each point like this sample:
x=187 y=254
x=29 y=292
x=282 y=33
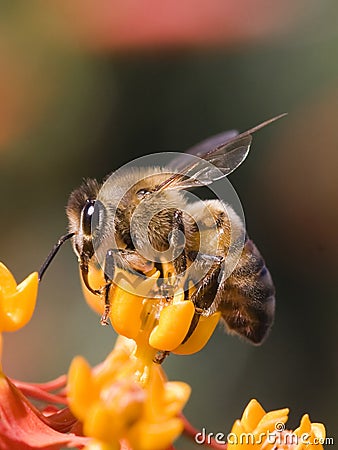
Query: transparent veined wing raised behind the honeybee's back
x=223 y=159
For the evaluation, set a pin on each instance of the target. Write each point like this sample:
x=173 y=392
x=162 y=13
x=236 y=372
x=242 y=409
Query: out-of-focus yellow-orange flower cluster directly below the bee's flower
x=126 y=399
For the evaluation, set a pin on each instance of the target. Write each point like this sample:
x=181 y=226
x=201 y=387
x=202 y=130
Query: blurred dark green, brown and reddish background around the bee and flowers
x=87 y=86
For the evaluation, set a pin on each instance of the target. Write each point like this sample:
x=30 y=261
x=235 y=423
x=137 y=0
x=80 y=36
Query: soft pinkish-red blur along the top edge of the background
x=136 y=24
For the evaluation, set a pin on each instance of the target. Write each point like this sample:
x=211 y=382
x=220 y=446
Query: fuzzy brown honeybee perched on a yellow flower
x=140 y=218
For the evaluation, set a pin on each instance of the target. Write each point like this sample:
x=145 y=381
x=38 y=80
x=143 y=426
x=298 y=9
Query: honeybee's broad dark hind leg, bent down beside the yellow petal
x=206 y=291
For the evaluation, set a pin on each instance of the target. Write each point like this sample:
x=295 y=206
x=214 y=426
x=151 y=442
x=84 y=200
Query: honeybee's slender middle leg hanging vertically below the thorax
x=177 y=240
